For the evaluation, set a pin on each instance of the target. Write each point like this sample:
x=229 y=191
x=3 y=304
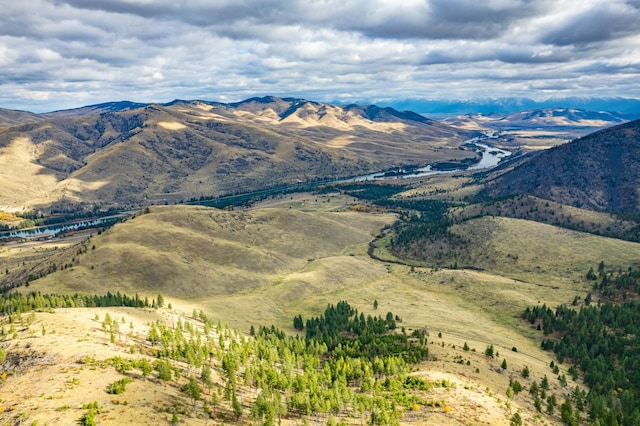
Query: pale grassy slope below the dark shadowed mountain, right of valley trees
x=543 y=254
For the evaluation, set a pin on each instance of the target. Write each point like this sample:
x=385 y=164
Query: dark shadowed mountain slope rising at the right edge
x=600 y=171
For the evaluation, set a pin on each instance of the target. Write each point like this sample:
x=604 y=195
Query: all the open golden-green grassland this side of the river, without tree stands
x=294 y=255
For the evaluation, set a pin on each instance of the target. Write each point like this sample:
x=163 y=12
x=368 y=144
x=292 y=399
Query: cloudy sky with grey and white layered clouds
x=61 y=54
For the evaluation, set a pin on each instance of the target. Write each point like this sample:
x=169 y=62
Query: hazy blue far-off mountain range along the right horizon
x=510 y=105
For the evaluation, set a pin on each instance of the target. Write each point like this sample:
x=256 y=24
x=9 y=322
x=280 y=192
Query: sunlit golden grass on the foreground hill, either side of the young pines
x=56 y=381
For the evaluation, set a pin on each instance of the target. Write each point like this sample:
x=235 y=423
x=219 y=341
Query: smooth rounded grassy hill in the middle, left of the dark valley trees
x=199 y=253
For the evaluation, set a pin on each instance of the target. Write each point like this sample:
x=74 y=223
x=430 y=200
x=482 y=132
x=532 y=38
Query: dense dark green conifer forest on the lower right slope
x=602 y=341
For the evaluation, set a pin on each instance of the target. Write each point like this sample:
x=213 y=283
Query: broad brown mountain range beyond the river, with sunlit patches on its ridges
x=124 y=154
